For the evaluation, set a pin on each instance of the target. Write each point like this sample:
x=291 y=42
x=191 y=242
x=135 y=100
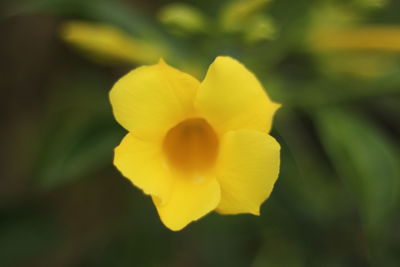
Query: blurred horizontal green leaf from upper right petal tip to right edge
x=326 y=90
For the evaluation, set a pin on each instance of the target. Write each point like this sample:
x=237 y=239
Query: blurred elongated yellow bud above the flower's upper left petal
x=106 y=43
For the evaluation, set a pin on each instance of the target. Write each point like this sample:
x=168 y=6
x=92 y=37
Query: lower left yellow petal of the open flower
x=143 y=164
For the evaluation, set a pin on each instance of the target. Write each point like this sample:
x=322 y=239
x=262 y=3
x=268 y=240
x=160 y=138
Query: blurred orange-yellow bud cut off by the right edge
x=379 y=38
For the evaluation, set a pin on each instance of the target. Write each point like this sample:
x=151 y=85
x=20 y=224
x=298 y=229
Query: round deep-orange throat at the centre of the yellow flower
x=191 y=146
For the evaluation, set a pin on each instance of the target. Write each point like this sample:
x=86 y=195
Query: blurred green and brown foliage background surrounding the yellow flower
x=333 y=64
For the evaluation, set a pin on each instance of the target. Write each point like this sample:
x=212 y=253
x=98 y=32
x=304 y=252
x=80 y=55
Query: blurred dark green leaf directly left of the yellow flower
x=74 y=147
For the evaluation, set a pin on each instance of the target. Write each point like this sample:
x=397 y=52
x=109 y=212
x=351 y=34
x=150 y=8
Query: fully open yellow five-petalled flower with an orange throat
x=196 y=147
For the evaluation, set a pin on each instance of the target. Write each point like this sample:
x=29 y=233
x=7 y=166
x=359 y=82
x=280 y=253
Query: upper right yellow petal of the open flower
x=231 y=98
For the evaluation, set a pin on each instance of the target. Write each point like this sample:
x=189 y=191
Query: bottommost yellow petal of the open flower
x=189 y=201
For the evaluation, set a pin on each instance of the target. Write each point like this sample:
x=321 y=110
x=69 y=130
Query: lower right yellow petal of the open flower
x=247 y=170
